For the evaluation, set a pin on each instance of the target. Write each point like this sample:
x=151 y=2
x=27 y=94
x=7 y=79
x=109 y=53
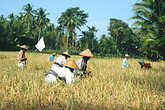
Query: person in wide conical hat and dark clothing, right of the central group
x=82 y=63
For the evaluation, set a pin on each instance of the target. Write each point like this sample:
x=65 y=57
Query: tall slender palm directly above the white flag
x=42 y=20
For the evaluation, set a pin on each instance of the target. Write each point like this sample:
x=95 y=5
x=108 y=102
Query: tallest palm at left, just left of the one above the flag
x=28 y=14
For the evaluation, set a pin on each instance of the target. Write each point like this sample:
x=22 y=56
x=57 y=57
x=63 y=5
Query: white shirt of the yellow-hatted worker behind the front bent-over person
x=60 y=60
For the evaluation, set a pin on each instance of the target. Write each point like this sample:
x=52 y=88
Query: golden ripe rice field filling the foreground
x=110 y=87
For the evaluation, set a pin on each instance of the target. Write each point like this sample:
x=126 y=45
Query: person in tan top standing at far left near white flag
x=21 y=56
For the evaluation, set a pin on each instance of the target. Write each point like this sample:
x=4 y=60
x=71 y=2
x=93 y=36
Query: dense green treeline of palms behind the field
x=145 y=39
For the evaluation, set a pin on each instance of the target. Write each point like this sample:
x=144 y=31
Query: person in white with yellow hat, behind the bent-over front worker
x=60 y=61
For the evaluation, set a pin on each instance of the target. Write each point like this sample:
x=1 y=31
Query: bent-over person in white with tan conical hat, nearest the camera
x=63 y=72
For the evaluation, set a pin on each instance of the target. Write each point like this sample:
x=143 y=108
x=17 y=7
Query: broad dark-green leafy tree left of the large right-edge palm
x=123 y=37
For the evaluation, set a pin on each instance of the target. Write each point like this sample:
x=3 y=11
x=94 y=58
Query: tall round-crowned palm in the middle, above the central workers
x=71 y=19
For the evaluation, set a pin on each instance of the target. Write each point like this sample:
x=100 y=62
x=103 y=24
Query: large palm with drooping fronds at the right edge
x=150 y=22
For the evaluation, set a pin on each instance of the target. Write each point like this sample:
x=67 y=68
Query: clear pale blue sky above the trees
x=100 y=11
